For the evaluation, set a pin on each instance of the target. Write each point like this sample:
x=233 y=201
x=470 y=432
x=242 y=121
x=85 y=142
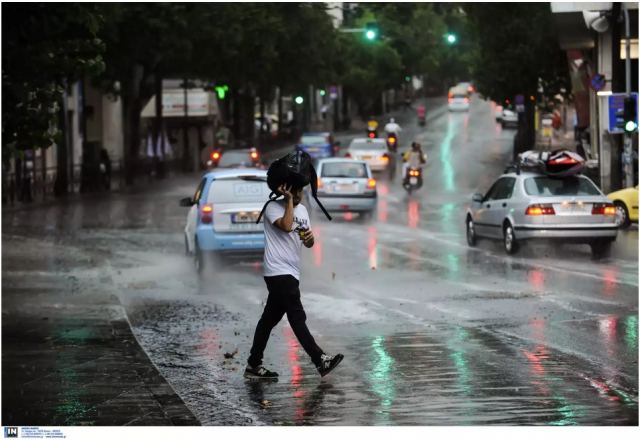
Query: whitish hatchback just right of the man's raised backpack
x=346 y=185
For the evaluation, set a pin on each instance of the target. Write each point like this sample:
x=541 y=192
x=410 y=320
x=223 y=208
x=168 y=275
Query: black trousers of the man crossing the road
x=284 y=297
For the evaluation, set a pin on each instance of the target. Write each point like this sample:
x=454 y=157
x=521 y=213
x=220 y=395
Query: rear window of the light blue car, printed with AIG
x=238 y=189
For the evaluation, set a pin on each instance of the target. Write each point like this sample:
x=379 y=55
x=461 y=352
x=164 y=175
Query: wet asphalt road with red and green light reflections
x=433 y=332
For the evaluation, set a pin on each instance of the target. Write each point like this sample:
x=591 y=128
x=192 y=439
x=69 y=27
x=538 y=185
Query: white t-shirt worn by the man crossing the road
x=282 y=249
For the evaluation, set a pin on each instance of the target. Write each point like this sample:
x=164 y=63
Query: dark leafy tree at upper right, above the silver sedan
x=506 y=67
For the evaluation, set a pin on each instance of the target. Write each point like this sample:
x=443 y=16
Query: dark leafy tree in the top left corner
x=45 y=48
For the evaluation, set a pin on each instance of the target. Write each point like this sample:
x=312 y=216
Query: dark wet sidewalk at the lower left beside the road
x=69 y=356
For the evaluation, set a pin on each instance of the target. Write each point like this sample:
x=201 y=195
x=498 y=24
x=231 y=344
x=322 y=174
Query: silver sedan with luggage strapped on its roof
x=529 y=205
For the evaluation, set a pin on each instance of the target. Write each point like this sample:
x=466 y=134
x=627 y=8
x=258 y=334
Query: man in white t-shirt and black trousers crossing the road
x=286 y=228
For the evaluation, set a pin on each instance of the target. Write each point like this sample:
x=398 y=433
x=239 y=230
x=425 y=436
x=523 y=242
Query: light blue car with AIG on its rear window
x=223 y=213
